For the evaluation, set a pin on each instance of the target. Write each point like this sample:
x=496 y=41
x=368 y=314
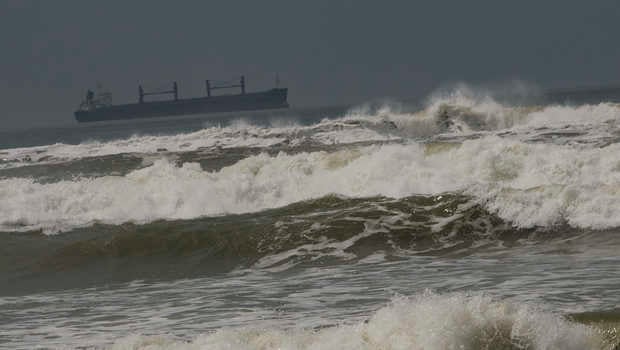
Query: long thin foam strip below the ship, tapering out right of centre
x=238 y=134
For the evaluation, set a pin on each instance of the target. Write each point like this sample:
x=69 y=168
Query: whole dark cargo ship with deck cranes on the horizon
x=100 y=107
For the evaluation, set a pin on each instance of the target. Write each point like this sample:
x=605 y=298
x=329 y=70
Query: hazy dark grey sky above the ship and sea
x=325 y=51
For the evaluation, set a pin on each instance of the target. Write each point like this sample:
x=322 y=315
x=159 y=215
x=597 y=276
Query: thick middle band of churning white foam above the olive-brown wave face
x=527 y=184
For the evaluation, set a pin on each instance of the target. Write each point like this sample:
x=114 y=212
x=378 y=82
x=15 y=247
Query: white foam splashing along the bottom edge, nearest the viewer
x=427 y=321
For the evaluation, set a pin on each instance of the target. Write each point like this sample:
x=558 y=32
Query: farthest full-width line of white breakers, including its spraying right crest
x=460 y=111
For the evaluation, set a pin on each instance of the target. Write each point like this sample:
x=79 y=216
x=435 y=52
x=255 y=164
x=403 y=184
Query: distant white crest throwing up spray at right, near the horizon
x=465 y=110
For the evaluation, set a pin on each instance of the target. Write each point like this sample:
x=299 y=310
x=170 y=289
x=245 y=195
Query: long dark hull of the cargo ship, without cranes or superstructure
x=272 y=99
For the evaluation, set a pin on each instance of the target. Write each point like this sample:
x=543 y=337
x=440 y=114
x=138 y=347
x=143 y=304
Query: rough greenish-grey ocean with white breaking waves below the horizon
x=458 y=223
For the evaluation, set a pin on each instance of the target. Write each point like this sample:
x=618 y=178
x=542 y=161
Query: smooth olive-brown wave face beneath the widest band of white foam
x=323 y=231
